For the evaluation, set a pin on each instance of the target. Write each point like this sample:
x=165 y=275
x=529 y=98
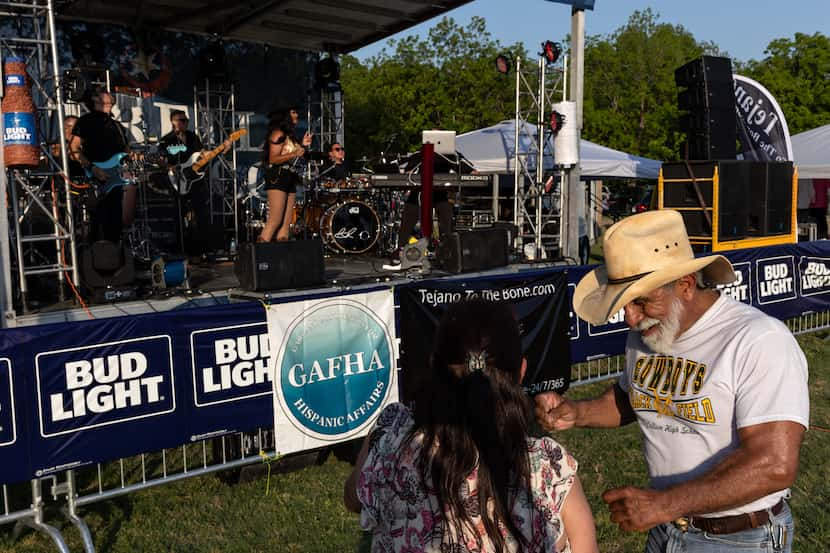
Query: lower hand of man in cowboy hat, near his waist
x=637 y=509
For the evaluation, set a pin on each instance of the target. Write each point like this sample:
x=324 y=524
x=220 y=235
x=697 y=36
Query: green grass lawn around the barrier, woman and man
x=303 y=511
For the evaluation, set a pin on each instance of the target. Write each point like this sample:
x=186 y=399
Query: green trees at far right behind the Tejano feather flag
x=797 y=73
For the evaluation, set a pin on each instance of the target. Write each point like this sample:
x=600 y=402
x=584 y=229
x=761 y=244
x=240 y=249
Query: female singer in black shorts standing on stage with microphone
x=280 y=153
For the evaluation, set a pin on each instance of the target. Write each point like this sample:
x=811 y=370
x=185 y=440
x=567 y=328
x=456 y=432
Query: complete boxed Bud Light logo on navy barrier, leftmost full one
x=104 y=384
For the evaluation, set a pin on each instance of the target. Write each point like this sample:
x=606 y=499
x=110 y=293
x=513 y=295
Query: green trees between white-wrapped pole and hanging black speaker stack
x=630 y=94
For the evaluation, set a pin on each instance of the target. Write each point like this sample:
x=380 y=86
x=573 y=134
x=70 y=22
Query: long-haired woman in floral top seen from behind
x=460 y=473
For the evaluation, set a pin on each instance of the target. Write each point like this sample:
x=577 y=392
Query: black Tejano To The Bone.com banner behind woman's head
x=540 y=299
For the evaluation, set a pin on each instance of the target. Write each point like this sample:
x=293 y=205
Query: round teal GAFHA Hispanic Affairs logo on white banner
x=335 y=369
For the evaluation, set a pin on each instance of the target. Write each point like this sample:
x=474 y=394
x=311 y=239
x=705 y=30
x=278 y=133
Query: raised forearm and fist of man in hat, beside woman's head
x=609 y=410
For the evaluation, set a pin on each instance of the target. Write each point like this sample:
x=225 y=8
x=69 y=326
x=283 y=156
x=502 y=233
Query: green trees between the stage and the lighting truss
x=447 y=80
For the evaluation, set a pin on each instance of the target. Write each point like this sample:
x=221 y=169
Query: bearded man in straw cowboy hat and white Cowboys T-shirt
x=718 y=387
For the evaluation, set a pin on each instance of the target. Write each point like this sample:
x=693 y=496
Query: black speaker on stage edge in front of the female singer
x=276 y=265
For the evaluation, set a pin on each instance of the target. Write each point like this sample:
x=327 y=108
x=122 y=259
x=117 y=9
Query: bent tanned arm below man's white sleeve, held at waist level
x=766 y=461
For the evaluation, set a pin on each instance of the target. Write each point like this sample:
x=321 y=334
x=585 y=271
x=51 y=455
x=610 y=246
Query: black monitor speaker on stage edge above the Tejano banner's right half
x=474 y=250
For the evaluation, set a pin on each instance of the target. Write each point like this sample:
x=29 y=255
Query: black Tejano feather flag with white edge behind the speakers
x=762 y=129
